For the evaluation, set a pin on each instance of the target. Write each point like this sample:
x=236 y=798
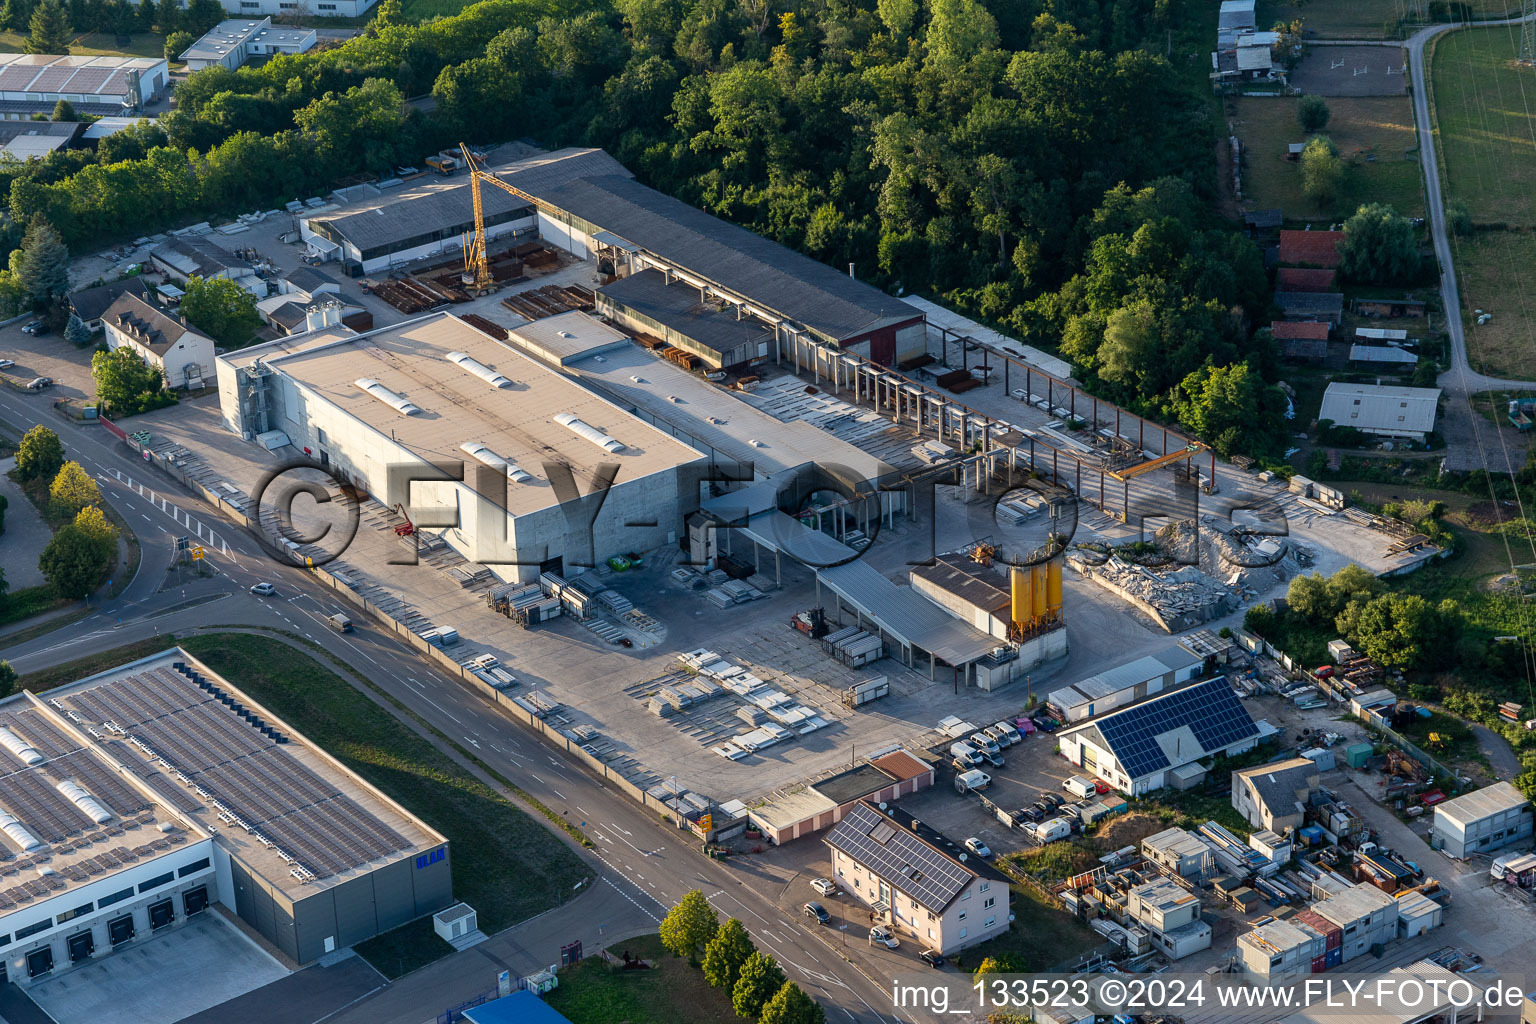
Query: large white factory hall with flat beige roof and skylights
x=437 y=389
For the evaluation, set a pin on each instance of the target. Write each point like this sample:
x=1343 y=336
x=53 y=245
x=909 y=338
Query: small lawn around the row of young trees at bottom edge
x=672 y=993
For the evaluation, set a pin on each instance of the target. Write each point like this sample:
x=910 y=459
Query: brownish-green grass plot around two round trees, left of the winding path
x=1362 y=128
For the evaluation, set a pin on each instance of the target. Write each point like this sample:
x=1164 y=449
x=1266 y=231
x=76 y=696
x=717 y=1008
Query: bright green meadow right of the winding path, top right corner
x=1486 y=122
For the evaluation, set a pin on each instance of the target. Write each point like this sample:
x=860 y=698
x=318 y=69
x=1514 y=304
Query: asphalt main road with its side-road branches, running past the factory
x=647 y=865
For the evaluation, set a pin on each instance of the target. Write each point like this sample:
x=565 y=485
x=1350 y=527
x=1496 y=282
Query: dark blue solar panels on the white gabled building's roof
x=1211 y=712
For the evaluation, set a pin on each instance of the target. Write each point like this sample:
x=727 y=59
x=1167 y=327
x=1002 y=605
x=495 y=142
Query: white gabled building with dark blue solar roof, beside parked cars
x=1160 y=742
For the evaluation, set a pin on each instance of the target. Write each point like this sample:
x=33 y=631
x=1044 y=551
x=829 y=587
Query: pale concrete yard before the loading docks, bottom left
x=174 y=976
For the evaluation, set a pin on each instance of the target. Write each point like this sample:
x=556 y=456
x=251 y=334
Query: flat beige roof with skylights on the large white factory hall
x=434 y=366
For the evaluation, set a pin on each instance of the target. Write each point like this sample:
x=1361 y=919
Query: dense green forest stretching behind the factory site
x=1047 y=165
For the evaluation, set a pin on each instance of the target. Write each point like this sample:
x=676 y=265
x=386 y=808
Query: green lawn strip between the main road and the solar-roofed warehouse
x=506 y=865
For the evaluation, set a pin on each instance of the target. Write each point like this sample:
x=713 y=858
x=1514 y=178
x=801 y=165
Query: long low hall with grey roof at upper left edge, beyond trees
x=102 y=87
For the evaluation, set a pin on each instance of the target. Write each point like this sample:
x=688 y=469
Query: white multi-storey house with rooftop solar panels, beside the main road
x=916 y=880
